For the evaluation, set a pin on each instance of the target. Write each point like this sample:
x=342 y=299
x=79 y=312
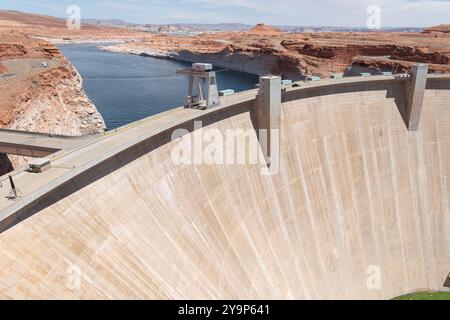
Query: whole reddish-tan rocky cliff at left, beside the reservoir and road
x=42 y=92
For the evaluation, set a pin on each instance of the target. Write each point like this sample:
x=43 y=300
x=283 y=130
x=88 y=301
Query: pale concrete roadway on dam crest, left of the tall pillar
x=82 y=153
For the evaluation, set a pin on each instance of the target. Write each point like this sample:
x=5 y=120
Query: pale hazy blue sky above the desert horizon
x=394 y=13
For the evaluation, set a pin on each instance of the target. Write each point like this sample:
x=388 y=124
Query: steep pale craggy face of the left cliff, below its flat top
x=56 y=103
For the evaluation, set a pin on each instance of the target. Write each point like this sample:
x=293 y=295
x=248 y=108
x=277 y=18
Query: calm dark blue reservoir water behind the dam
x=126 y=87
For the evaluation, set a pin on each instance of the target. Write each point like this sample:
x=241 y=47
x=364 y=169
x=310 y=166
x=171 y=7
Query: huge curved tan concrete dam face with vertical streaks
x=359 y=209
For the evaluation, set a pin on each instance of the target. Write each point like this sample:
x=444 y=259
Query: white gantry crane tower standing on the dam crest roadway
x=202 y=86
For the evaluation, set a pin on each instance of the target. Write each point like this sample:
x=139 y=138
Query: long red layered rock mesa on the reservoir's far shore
x=265 y=49
